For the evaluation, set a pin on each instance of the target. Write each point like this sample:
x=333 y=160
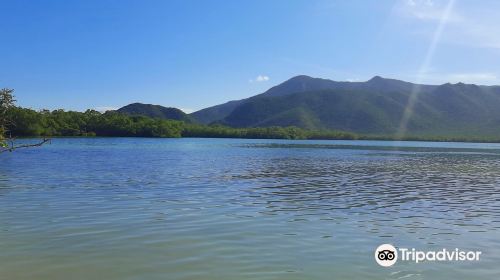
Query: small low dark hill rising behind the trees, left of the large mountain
x=155 y=111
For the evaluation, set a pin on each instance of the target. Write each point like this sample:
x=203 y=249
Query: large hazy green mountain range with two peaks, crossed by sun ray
x=376 y=106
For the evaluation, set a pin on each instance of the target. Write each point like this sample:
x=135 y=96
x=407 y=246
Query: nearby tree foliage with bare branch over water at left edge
x=7 y=102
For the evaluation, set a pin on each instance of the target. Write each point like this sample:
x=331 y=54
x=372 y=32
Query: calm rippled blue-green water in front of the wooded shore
x=127 y=208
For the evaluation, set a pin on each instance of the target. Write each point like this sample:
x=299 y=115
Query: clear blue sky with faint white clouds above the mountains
x=104 y=54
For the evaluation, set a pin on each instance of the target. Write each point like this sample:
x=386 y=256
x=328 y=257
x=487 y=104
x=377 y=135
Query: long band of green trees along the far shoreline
x=30 y=123
